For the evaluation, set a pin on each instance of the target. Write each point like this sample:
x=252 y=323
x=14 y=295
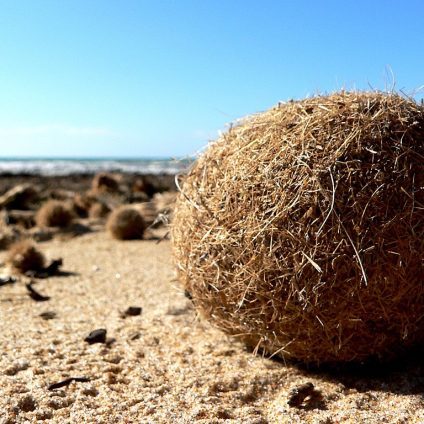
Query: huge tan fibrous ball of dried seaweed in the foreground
x=301 y=229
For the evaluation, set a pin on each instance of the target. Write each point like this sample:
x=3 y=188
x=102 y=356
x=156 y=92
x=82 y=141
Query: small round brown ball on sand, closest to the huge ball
x=126 y=223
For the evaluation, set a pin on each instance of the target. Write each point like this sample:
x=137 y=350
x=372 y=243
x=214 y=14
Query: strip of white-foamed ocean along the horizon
x=69 y=166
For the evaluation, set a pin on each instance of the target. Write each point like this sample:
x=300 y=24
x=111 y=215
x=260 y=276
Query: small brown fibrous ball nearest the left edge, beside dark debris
x=24 y=256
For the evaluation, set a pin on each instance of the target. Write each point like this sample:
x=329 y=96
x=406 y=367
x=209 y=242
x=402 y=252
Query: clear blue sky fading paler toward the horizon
x=138 y=78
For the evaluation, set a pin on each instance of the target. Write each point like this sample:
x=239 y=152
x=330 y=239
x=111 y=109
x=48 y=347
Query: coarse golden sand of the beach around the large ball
x=164 y=365
